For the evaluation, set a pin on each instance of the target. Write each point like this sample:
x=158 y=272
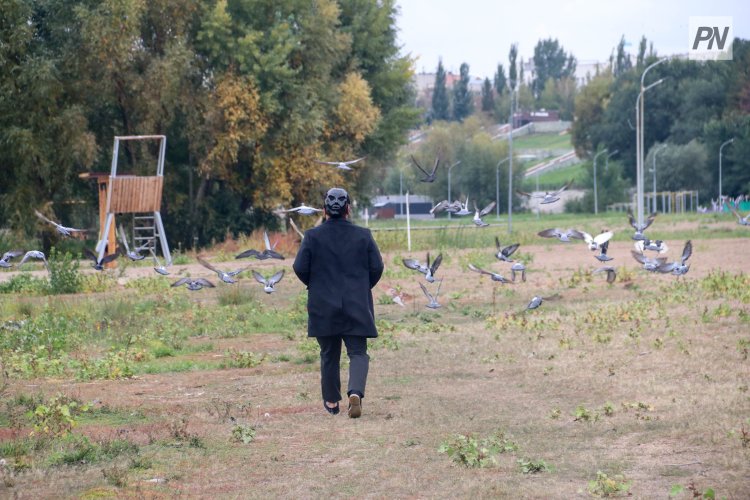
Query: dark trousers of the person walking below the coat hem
x=330 y=362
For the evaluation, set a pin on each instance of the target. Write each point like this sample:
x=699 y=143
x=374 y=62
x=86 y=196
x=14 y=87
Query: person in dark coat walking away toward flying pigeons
x=339 y=263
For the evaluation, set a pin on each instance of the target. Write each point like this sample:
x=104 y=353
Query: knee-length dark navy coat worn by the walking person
x=340 y=263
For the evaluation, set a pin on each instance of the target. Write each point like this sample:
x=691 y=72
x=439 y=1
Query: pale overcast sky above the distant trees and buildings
x=479 y=32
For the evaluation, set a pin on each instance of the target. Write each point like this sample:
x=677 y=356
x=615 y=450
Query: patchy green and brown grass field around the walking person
x=132 y=389
